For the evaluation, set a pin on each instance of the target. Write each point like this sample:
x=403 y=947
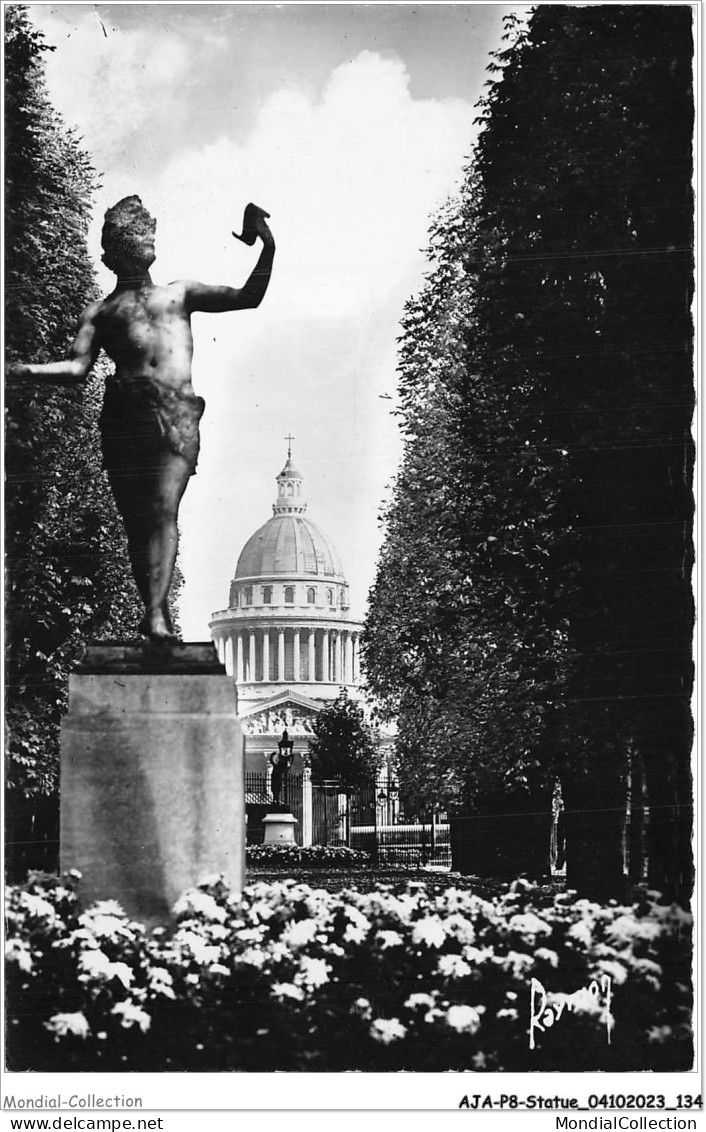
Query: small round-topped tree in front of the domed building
x=343 y=747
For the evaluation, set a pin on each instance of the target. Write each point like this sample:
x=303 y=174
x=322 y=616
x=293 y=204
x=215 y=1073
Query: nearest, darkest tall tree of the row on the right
x=592 y=201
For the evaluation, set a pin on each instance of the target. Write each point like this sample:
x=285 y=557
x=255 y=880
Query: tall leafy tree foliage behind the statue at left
x=68 y=576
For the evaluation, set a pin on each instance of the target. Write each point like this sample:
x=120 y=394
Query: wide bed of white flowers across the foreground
x=296 y=979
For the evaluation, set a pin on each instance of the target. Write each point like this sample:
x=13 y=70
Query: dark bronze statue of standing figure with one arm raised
x=151 y=415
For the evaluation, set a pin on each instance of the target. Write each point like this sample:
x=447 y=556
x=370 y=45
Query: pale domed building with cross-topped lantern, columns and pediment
x=287 y=637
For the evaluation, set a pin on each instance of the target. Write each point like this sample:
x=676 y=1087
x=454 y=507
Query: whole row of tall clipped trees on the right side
x=532 y=613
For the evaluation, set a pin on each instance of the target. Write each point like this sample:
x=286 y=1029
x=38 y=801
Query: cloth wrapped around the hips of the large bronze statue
x=143 y=417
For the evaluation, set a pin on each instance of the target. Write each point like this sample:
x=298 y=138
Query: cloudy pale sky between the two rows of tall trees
x=351 y=124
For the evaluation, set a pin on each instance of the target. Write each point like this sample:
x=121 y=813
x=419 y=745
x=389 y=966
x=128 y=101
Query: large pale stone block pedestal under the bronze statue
x=152 y=776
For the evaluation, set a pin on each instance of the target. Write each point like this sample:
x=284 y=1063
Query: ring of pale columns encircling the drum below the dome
x=297 y=656
